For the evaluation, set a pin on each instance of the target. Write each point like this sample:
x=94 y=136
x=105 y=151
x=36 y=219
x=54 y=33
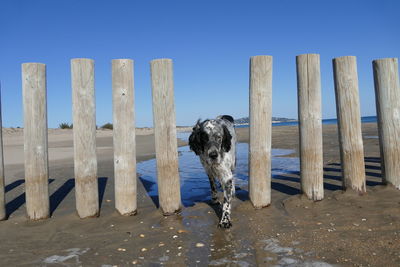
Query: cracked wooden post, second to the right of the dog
x=310 y=125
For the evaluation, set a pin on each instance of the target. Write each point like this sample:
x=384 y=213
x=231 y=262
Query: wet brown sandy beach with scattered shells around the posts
x=344 y=229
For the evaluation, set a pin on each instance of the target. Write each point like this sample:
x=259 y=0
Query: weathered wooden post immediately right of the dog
x=260 y=130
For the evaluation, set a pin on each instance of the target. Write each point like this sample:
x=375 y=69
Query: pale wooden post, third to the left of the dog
x=84 y=120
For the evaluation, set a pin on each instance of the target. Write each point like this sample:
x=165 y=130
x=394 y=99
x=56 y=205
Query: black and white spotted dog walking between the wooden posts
x=214 y=142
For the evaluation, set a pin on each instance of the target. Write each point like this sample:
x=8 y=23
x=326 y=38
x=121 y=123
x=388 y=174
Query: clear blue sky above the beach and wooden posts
x=210 y=43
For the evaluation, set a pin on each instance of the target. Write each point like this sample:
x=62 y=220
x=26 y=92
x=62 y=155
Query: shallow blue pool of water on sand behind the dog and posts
x=195 y=186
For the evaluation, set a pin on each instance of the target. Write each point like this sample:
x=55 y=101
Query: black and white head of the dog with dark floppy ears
x=210 y=139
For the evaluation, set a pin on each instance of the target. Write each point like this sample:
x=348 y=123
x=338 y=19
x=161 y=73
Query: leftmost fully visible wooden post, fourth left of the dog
x=35 y=140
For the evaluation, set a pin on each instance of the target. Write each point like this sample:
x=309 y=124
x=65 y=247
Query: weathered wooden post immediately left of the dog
x=165 y=135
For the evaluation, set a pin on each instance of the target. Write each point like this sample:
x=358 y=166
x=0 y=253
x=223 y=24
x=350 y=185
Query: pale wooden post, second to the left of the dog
x=124 y=136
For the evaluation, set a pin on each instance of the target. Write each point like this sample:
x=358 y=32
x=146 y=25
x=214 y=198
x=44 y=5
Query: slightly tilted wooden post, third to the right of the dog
x=349 y=123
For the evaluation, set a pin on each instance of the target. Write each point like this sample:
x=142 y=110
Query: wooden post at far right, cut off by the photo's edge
x=387 y=91
